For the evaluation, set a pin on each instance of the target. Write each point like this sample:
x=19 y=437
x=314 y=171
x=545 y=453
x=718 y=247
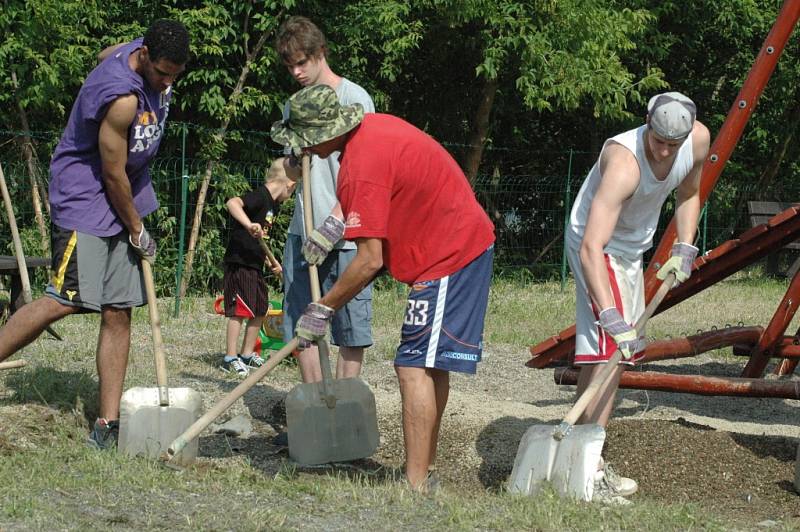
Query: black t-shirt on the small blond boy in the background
x=242 y=247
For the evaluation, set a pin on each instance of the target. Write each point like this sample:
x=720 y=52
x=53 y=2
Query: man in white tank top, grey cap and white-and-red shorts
x=612 y=224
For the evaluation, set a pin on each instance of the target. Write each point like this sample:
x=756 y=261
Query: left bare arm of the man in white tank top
x=620 y=177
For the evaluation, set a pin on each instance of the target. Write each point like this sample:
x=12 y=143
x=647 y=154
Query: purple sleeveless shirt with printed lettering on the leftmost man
x=77 y=192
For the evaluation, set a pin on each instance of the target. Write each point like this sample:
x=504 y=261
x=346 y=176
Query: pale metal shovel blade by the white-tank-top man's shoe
x=569 y=465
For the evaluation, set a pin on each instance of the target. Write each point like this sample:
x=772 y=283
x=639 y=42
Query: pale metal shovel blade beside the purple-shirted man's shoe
x=147 y=429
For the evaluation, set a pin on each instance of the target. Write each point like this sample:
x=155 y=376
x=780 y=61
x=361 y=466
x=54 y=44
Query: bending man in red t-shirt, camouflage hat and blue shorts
x=409 y=208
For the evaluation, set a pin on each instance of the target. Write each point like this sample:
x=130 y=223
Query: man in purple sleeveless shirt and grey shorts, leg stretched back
x=100 y=190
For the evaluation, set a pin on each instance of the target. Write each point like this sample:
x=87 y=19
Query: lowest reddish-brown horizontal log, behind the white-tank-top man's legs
x=695 y=384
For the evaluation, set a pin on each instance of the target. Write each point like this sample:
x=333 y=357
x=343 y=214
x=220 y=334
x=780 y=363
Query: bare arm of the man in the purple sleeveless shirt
x=113 y=144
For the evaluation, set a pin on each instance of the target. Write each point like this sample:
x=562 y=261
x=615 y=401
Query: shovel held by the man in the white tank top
x=567 y=455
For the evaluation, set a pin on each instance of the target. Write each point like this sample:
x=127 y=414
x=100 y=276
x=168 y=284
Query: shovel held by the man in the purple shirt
x=150 y=418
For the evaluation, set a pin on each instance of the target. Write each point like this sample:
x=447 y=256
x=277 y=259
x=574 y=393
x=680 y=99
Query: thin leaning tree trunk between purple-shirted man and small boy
x=218 y=137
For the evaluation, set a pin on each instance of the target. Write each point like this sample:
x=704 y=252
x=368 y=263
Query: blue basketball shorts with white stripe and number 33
x=443 y=325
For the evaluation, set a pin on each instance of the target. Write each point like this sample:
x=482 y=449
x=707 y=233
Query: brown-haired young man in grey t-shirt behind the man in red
x=303 y=50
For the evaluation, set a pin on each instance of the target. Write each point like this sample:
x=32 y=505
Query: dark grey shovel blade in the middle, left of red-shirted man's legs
x=319 y=434
